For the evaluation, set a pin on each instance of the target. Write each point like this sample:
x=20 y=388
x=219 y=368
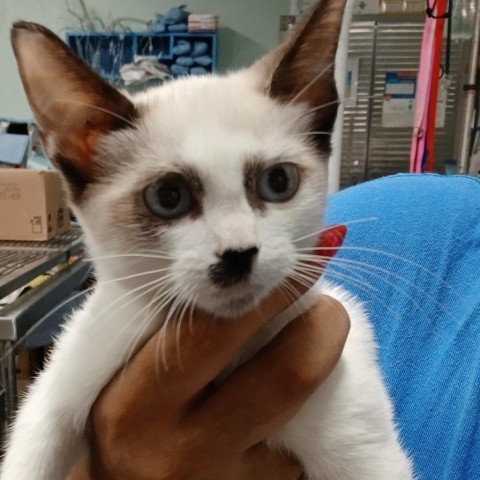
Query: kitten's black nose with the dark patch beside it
x=233 y=267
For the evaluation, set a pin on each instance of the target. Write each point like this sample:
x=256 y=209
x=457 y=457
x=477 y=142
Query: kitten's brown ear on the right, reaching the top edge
x=302 y=68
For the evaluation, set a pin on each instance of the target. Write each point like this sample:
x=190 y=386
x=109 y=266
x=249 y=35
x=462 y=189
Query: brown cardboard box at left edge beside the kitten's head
x=32 y=205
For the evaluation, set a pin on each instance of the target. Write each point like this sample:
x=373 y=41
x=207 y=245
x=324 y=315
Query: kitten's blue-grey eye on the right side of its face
x=278 y=183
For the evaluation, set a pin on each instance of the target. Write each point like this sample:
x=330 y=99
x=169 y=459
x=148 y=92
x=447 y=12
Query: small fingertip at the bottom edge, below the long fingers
x=260 y=463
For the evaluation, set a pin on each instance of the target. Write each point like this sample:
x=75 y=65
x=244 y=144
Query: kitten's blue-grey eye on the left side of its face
x=169 y=198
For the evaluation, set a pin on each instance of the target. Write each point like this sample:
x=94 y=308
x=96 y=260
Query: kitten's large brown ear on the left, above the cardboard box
x=73 y=106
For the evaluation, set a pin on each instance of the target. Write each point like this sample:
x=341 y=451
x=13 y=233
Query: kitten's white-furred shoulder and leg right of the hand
x=346 y=430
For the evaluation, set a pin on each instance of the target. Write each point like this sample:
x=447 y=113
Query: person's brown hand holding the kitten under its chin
x=154 y=423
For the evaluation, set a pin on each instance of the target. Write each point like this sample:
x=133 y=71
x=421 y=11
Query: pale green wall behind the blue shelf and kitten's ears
x=248 y=29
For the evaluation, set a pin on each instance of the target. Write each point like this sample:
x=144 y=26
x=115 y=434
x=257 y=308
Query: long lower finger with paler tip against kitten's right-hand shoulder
x=266 y=392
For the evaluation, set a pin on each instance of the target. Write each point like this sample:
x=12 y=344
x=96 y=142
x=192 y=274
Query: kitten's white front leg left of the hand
x=48 y=433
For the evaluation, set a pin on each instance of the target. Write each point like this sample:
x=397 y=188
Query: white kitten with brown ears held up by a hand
x=220 y=182
